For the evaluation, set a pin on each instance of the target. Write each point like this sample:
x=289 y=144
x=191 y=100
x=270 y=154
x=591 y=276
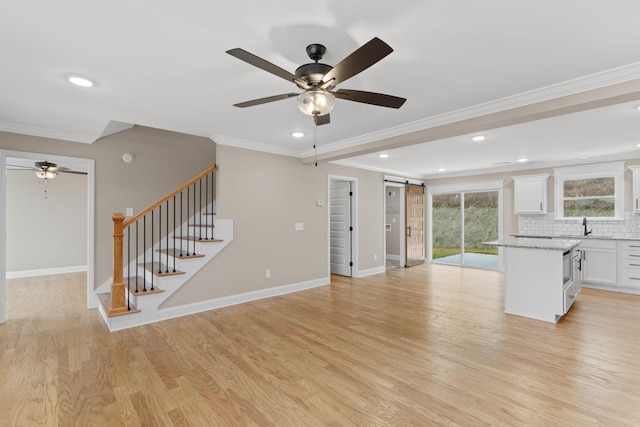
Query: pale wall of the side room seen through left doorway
x=44 y=233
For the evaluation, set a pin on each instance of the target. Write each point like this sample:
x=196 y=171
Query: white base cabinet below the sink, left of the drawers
x=599 y=262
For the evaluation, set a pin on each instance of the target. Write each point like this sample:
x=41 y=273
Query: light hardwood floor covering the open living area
x=429 y=345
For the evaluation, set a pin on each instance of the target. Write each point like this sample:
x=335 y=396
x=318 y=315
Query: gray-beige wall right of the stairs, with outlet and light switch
x=265 y=195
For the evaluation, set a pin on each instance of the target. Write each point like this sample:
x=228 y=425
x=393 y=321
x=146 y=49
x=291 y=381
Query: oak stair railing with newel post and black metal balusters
x=140 y=231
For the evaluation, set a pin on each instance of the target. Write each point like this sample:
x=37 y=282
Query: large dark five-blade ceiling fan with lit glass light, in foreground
x=318 y=80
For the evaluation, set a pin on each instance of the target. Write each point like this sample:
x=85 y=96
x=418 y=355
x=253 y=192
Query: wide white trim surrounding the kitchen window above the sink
x=613 y=170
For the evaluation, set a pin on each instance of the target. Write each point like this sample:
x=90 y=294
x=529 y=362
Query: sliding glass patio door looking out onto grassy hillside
x=460 y=222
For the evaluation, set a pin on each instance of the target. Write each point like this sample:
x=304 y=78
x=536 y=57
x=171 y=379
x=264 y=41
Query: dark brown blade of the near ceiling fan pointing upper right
x=361 y=59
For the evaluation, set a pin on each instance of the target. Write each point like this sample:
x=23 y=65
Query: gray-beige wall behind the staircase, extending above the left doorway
x=163 y=161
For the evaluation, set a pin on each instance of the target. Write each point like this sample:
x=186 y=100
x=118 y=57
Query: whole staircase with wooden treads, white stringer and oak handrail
x=156 y=252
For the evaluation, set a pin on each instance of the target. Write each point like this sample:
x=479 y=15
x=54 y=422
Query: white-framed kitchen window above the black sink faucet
x=592 y=191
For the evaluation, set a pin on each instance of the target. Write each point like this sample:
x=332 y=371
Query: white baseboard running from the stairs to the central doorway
x=212 y=304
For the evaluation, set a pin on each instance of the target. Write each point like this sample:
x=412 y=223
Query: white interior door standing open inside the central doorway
x=340 y=227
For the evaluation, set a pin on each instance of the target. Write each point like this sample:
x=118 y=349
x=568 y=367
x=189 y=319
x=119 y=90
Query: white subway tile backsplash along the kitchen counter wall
x=546 y=225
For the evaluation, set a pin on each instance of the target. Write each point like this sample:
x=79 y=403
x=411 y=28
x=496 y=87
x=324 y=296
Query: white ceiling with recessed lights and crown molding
x=163 y=64
